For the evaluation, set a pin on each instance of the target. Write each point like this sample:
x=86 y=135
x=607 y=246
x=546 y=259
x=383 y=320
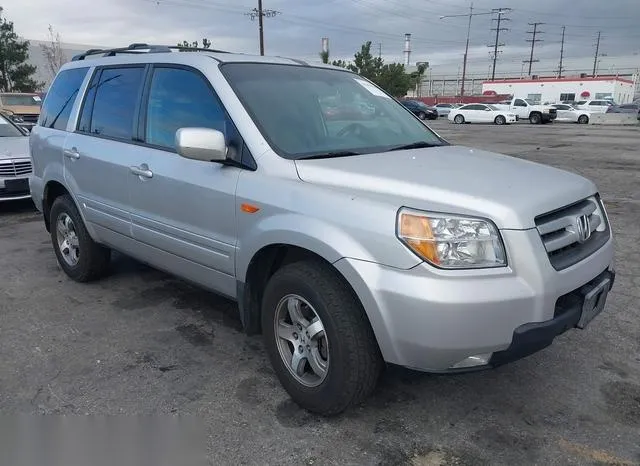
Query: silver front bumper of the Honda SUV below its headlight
x=432 y=320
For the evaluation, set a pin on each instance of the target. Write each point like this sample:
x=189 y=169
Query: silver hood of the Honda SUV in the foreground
x=454 y=179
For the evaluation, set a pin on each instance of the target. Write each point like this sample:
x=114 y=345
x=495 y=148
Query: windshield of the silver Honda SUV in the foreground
x=304 y=111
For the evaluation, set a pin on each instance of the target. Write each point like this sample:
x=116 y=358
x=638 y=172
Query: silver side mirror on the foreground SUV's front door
x=205 y=144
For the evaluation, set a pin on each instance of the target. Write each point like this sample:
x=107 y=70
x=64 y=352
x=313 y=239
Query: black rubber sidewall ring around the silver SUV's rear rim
x=65 y=204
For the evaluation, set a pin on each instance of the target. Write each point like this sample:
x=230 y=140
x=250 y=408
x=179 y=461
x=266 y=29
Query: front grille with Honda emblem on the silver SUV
x=561 y=231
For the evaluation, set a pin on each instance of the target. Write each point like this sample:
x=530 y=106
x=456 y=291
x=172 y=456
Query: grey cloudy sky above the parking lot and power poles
x=298 y=27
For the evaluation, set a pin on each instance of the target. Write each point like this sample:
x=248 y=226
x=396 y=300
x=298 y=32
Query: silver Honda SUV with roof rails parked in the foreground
x=350 y=234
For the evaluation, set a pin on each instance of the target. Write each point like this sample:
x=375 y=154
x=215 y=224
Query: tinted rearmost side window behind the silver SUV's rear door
x=60 y=98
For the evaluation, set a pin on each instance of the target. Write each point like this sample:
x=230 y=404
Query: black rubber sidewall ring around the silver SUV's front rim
x=321 y=399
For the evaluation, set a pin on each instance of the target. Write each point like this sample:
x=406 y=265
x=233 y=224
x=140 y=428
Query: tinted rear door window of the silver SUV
x=114 y=105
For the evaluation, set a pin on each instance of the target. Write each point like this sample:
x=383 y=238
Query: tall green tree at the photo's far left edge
x=15 y=74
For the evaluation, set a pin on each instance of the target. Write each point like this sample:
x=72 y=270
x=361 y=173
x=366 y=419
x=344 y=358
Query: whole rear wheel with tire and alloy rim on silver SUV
x=81 y=258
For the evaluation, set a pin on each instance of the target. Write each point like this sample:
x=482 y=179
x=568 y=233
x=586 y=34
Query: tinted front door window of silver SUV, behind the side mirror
x=180 y=98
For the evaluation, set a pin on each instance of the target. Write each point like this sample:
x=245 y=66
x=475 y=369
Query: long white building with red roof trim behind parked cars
x=549 y=89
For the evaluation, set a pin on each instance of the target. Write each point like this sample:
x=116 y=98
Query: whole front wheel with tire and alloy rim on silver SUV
x=318 y=338
